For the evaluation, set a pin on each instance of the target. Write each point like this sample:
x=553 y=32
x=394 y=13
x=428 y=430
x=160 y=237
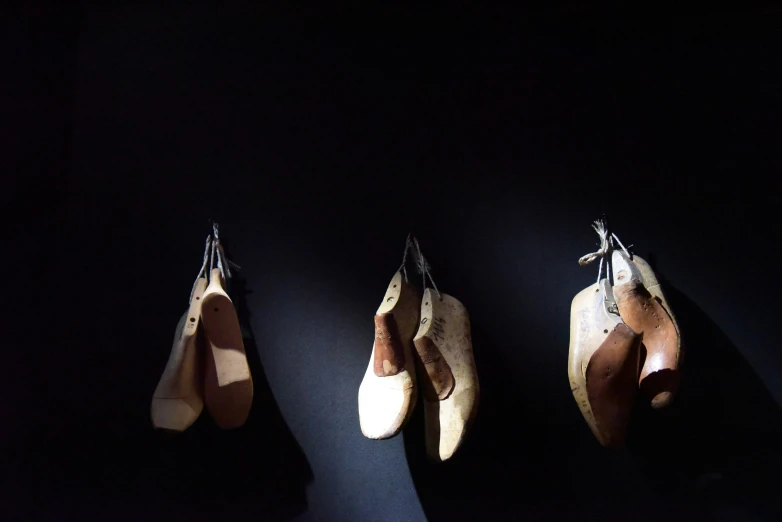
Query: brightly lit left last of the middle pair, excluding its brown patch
x=386 y=403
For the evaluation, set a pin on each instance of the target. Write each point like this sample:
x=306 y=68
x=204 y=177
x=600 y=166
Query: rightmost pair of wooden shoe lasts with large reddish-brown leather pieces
x=623 y=338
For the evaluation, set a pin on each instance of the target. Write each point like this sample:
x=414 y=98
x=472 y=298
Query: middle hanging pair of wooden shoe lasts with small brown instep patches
x=427 y=343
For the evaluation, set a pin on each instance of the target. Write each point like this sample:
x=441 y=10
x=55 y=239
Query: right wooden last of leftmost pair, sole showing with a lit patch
x=228 y=385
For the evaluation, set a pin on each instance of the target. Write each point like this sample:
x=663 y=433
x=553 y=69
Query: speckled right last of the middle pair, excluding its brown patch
x=445 y=321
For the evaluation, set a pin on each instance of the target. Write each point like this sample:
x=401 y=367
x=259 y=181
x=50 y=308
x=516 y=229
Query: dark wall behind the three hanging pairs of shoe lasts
x=318 y=145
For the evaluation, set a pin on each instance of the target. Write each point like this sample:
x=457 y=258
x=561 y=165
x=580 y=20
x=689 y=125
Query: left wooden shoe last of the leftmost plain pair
x=177 y=401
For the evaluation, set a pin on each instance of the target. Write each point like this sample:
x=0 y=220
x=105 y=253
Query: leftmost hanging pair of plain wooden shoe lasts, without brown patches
x=210 y=367
